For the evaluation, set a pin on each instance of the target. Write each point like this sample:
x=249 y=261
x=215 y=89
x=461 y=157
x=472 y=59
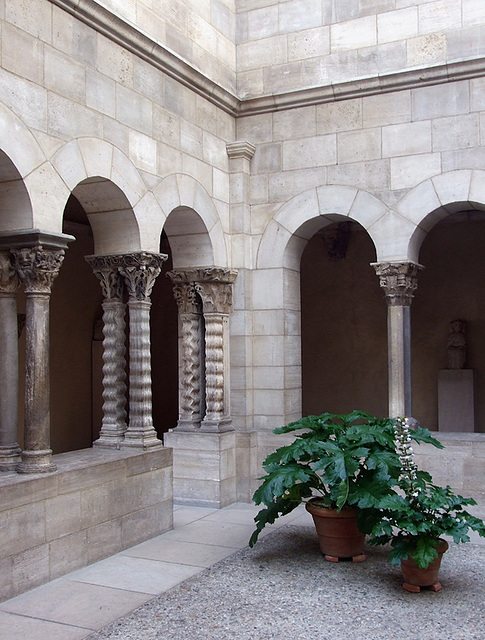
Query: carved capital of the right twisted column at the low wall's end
x=140 y=270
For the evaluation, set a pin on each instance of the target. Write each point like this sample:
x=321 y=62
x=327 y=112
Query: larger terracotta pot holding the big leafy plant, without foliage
x=338 y=534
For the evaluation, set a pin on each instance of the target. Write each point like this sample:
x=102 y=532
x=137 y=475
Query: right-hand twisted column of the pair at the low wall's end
x=140 y=271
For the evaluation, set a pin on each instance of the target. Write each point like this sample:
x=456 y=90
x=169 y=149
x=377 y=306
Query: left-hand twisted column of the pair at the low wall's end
x=113 y=425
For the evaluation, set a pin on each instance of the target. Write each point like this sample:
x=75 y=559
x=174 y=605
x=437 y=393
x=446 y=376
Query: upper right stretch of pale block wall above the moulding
x=289 y=45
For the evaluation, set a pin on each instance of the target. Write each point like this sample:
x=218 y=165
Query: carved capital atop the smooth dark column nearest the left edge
x=37 y=267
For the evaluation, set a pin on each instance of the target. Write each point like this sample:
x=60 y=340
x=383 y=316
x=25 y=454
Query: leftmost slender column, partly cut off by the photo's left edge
x=9 y=380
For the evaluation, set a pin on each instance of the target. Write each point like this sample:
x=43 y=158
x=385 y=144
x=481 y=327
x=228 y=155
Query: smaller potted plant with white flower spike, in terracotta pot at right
x=415 y=519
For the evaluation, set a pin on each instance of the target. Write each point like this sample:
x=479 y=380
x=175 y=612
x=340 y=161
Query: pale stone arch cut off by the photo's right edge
x=437 y=198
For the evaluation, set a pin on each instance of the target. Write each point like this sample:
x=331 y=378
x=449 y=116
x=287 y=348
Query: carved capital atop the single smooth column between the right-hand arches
x=399 y=281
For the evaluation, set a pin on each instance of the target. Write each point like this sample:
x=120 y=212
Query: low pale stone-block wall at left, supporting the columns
x=98 y=503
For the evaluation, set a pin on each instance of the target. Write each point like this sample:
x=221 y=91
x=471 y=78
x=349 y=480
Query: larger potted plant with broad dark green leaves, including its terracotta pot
x=338 y=465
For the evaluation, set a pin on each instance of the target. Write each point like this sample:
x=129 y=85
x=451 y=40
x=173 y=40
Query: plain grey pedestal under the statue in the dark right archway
x=456 y=400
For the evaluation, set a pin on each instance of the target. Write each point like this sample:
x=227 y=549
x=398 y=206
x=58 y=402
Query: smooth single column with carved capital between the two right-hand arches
x=399 y=280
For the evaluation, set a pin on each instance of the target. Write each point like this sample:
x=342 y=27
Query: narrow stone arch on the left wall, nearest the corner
x=192 y=223
